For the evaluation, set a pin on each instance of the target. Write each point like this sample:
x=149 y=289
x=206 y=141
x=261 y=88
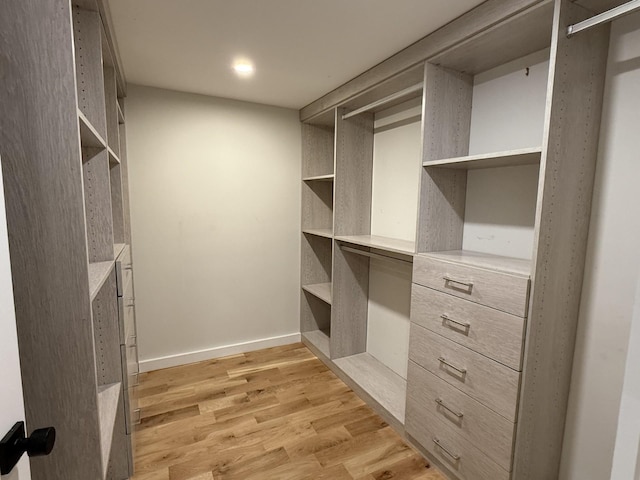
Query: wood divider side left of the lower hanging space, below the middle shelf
x=350 y=304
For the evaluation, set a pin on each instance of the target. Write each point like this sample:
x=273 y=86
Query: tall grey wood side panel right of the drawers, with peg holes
x=562 y=223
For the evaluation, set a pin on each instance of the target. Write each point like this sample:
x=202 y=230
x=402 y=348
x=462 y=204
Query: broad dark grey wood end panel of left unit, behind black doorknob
x=39 y=142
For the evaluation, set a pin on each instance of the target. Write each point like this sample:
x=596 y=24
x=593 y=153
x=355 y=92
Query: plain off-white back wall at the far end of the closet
x=215 y=205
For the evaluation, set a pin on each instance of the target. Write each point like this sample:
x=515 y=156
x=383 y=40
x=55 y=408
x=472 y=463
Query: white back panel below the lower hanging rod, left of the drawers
x=389 y=305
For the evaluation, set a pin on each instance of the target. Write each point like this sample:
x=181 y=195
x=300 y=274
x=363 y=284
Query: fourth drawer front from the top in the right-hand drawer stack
x=491 y=433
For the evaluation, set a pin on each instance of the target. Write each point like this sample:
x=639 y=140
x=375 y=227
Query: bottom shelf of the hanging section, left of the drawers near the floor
x=383 y=384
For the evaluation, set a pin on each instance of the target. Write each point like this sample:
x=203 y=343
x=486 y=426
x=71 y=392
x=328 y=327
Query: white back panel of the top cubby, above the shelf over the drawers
x=508 y=105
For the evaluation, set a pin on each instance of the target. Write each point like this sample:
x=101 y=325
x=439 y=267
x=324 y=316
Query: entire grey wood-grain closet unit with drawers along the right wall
x=492 y=337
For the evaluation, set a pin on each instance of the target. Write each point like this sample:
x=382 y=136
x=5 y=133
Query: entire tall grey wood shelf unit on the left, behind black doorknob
x=63 y=154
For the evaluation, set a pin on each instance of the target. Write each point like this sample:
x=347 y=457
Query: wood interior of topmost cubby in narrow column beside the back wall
x=317 y=150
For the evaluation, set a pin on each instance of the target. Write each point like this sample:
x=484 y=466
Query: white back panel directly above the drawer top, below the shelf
x=500 y=210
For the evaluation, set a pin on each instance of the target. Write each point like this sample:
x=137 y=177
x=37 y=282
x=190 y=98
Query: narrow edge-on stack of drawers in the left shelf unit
x=128 y=341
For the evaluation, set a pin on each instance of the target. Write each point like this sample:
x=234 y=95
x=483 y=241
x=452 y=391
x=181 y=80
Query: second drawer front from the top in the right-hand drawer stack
x=493 y=333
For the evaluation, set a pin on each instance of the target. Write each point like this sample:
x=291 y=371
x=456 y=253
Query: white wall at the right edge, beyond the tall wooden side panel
x=613 y=263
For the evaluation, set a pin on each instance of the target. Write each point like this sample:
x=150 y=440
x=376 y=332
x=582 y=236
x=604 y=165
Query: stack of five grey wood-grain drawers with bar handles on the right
x=465 y=364
